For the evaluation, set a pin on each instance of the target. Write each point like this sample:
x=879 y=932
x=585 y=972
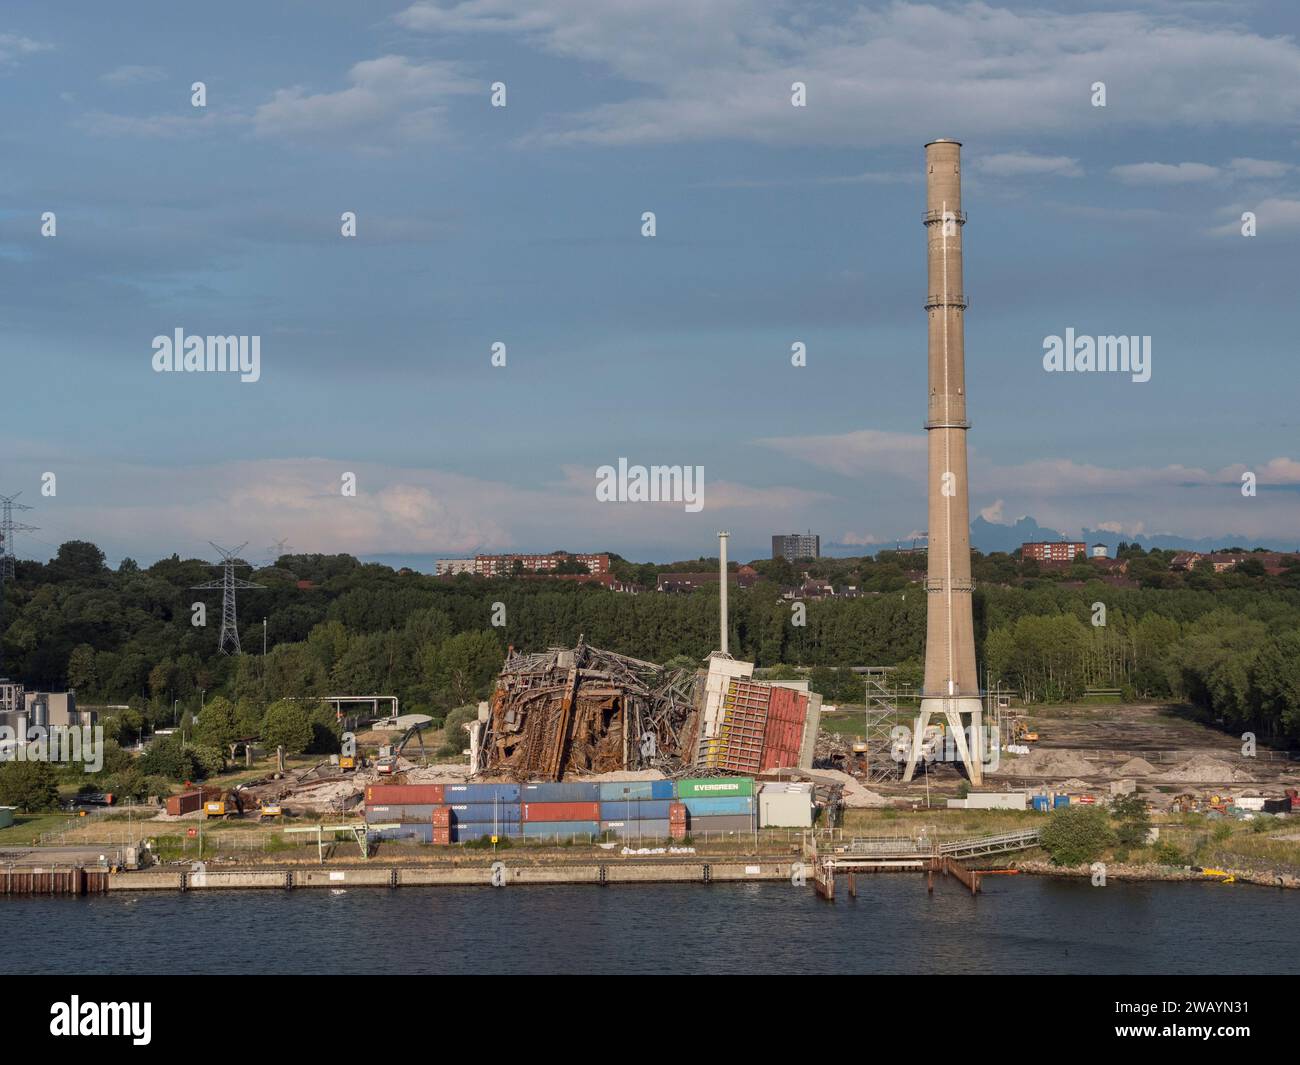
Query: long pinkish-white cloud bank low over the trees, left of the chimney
x=397 y=510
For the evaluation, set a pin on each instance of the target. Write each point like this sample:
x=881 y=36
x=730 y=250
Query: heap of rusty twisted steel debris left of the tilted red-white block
x=583 y=712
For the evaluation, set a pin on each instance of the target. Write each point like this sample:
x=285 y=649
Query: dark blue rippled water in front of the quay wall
x=1019 y=925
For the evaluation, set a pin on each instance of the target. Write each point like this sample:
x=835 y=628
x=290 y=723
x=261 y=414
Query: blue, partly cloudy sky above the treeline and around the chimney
x=522 y=224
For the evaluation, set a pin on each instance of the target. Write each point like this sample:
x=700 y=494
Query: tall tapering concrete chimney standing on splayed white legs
x=952 y=686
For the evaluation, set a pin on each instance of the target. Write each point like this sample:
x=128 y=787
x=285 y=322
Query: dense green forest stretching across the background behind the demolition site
x=1228 y=643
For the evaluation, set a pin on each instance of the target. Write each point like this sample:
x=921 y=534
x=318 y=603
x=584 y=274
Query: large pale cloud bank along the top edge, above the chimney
x=725 y=70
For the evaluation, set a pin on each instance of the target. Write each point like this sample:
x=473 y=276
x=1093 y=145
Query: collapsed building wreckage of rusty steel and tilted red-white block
x=588 y=712
